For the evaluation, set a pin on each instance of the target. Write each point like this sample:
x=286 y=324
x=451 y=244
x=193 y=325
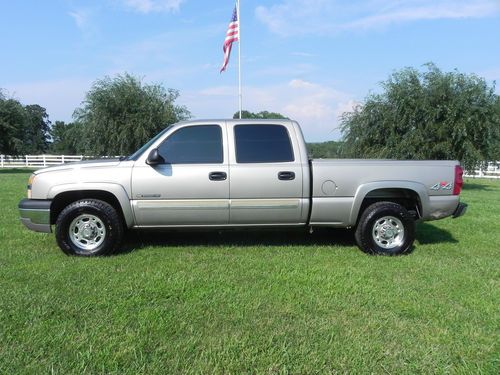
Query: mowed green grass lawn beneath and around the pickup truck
x=251 y=302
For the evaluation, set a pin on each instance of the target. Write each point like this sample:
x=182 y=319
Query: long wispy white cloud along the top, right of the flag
x=320 y=17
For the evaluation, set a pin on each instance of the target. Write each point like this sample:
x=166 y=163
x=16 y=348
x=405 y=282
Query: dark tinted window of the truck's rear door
x=262 y=144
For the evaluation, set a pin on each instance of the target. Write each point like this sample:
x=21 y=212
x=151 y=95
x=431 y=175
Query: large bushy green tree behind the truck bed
x=426 y=114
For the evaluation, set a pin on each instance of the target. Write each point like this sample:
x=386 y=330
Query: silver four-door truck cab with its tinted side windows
x=220 y=173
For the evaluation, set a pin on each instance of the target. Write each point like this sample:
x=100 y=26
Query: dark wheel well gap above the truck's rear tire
x=407 y=198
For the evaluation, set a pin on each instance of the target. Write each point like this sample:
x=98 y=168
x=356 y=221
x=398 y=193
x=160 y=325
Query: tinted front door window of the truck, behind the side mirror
x=193 y=145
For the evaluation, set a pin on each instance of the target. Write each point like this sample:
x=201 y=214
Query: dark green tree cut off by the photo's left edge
x=12 y=120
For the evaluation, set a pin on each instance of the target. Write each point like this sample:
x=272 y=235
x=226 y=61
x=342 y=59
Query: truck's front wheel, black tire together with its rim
x=89 y=227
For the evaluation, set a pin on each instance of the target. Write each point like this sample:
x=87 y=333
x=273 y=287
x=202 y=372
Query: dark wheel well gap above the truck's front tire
x=62 y=200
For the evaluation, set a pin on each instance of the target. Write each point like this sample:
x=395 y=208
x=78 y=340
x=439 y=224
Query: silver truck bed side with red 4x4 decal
x=339 y=187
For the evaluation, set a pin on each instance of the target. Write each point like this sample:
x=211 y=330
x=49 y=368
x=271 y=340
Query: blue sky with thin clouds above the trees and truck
x=308 y=59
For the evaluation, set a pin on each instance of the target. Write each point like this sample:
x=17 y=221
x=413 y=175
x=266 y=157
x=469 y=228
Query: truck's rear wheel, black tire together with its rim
x=385 y=228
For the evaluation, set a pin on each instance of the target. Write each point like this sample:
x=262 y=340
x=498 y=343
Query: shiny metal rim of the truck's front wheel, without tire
x=87 y=232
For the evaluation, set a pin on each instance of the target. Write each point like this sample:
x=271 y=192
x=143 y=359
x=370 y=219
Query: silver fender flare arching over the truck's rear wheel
x=364 y=189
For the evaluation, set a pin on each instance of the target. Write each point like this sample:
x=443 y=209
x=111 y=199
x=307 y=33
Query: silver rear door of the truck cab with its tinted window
x=266 y=175
